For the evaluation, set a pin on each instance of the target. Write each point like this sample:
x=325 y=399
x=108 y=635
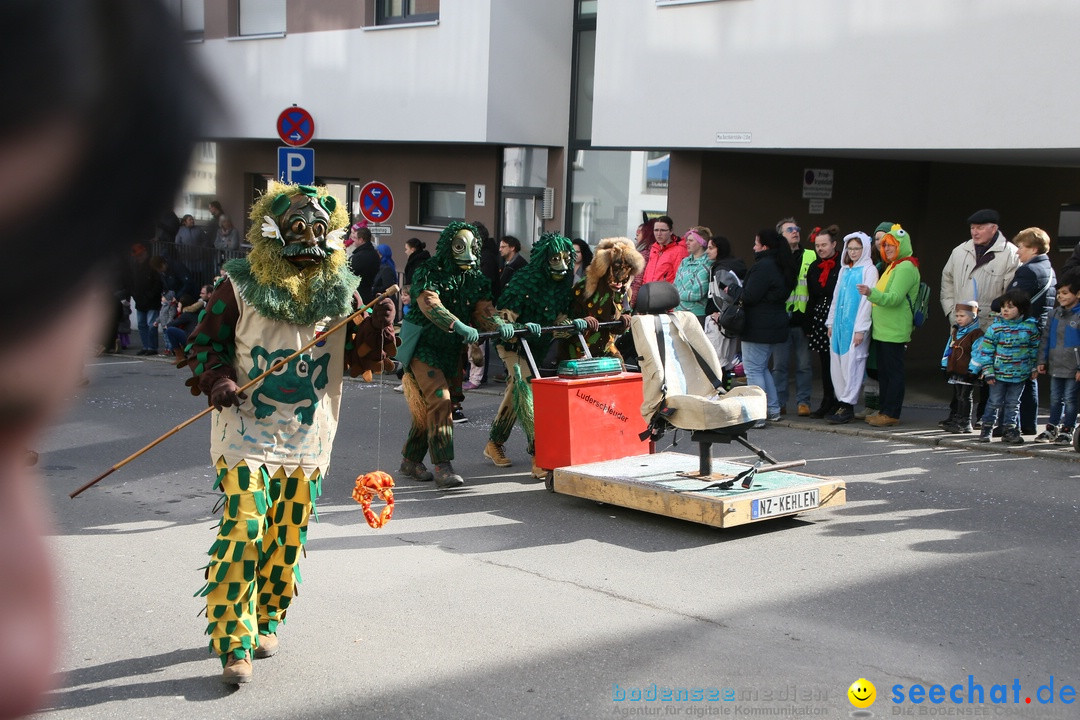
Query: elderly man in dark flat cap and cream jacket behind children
x=980 y=269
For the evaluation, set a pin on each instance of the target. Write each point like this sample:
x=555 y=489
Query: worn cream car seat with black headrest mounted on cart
x=681 y=378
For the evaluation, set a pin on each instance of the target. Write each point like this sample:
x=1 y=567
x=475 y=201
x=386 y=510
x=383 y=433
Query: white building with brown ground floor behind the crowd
x=582 y=115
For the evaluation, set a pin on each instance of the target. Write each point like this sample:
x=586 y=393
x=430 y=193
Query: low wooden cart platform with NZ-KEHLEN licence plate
x=652 y=483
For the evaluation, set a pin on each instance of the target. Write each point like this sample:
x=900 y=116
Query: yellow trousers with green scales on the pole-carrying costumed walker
x=254 y=563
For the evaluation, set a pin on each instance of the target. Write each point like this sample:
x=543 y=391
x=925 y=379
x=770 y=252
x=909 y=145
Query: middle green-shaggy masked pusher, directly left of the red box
x=537 y=296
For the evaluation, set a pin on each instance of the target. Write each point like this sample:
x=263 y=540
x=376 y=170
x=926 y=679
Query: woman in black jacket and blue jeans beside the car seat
x=765 y=293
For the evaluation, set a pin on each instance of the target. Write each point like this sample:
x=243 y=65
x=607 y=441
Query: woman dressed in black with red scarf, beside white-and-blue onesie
x=821 y=281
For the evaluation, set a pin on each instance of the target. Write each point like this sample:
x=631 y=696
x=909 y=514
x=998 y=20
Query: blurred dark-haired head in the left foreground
x=106 y=106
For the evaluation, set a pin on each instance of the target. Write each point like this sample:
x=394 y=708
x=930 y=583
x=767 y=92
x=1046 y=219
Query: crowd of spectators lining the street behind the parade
x=850 y=301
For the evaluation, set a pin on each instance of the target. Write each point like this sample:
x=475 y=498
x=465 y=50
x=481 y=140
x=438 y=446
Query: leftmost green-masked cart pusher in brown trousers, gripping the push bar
x=449 y=291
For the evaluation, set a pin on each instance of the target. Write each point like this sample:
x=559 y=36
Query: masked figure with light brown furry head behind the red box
x=600 y=297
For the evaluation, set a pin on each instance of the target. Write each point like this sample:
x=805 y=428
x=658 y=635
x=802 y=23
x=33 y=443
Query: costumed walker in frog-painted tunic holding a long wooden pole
x=273 y=452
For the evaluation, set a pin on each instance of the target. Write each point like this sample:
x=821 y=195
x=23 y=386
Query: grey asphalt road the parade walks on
x=504 y=601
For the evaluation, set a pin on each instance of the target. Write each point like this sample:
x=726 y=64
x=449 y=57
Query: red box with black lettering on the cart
x=582 y=420
